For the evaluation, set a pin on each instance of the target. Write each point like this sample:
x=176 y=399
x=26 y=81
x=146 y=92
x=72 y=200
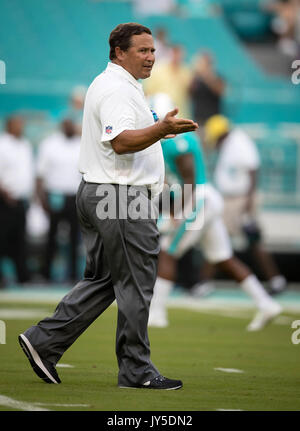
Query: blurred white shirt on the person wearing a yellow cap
x=238 y=155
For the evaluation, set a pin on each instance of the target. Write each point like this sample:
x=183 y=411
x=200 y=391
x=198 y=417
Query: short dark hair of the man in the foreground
x=121 y=36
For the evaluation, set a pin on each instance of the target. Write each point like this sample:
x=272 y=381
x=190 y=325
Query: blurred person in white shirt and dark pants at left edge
x=16 y=186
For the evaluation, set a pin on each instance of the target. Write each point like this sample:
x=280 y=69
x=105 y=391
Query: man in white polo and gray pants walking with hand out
x=121 y=160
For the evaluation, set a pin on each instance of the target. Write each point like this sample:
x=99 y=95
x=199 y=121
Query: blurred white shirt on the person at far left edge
x=16 y=166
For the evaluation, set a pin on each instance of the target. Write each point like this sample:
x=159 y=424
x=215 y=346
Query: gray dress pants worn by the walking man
x=121 y=264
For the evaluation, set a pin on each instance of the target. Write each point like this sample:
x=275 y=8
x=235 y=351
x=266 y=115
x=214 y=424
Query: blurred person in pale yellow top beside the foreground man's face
x=172 y=78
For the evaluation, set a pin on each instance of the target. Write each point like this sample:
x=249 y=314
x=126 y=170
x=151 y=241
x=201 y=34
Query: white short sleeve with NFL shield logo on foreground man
x=117 y=113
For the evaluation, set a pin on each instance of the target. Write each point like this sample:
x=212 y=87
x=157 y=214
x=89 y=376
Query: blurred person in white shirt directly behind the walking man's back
x=57 y=182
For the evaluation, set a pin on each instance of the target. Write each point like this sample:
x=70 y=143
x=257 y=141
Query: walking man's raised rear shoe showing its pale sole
x=44 y=369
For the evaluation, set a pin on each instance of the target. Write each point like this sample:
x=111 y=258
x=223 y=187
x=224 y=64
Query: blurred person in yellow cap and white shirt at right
x=235 y=177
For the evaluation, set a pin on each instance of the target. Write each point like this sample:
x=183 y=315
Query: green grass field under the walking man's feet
x=191 y=348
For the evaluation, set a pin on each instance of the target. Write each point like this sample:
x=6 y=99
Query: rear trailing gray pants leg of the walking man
x=52 y=336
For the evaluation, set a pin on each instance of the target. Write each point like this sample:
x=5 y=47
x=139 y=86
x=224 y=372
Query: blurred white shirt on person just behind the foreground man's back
x=57 y=163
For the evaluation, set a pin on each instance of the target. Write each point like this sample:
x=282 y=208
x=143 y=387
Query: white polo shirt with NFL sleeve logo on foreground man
x=115 y=102
